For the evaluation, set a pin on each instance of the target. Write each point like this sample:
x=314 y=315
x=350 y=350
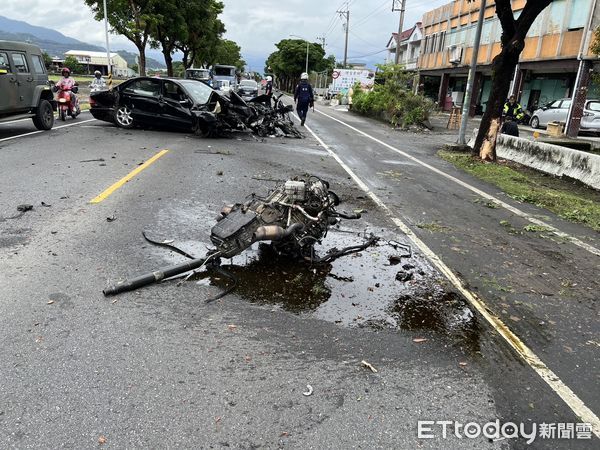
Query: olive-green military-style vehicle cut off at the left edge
x=24 y=88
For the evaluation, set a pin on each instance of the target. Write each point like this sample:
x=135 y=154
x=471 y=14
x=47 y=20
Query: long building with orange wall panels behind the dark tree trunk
x=556 y=43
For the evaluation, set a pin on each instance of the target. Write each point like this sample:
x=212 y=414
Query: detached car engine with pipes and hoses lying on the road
x=295 y=216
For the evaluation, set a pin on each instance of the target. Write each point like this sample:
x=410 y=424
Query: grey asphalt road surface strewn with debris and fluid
x=159 y=367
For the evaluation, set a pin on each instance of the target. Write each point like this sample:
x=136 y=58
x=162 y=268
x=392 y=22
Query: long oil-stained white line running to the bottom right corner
x=555 y=383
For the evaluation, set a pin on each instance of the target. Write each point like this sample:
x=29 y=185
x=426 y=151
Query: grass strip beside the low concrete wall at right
x=568 y=199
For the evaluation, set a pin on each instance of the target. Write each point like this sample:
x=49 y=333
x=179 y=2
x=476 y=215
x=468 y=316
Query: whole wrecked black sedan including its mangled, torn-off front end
x=190 y=105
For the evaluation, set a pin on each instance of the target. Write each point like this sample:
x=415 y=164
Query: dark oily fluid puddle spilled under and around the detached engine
x=373 y=289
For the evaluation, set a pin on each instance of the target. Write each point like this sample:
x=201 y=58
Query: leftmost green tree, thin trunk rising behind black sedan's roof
x=131 y=18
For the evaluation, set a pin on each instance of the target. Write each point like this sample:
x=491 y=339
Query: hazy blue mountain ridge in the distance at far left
x=55 y=43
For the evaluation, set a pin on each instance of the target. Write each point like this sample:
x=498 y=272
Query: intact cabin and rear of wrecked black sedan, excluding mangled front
x=161 y=102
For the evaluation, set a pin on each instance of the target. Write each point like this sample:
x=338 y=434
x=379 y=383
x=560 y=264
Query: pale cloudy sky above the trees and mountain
x=256 y=26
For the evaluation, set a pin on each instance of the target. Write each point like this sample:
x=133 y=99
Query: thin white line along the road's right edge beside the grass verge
x=511 y=208
